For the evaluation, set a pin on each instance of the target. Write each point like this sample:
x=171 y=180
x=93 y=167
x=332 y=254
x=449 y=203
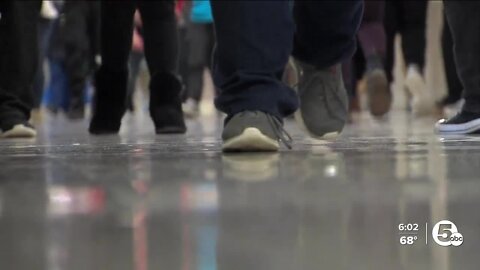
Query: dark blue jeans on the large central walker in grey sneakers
x=255 y=39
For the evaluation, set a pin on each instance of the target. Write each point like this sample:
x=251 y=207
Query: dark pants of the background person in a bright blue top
x=201 y=40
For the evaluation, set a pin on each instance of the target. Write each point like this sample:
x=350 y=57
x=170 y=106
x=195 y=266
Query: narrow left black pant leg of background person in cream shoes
x=391 y=24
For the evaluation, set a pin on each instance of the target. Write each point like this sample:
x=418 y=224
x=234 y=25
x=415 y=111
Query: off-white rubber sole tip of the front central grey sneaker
x=251 y=140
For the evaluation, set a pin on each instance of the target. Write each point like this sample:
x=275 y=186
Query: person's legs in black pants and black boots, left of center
x=161 y=52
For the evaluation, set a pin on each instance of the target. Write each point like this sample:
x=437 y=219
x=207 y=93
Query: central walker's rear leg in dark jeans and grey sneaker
x=326 y=36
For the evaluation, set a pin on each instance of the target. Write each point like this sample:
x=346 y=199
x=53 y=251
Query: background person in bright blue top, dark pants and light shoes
x=201 y=40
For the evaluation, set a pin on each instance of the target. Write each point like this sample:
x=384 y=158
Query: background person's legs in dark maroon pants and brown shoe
x=368 y=61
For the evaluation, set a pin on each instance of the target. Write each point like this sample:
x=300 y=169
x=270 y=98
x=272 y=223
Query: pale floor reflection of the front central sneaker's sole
x=251 y=167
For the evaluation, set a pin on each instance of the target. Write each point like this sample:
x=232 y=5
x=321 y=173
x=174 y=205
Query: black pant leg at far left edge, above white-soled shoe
x=18 y=59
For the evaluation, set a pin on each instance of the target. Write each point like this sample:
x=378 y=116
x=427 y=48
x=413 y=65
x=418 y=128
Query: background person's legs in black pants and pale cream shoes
x=408 y=18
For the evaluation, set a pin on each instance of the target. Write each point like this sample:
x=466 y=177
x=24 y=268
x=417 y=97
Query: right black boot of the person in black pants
x=165 y=103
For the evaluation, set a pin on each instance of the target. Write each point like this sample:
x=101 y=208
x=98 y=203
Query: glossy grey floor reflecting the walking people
x=144 y=202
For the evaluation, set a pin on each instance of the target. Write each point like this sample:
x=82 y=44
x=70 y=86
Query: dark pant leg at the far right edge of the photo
x=464 y=20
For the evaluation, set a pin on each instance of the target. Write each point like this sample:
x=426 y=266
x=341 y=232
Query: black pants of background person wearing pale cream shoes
x=407 y=18
